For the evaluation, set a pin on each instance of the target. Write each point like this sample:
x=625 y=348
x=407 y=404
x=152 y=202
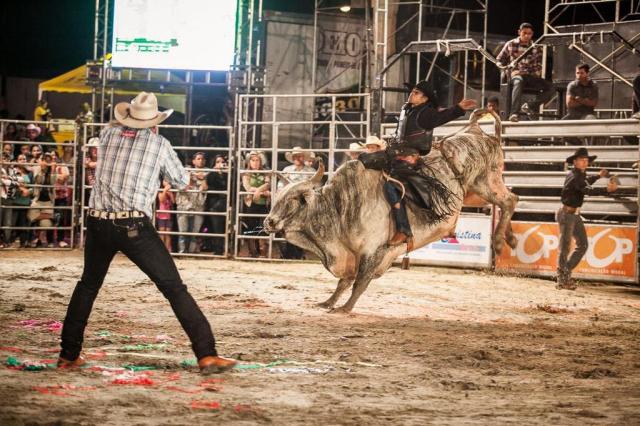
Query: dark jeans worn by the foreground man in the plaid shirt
x=104 y=239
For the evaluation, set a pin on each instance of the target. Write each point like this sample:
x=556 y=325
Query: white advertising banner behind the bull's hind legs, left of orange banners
x=470 y=247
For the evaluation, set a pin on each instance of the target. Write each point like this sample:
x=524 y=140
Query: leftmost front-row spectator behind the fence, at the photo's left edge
x=17 y=217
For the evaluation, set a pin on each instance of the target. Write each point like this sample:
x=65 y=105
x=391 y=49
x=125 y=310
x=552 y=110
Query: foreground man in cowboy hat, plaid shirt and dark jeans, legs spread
x=131 y=159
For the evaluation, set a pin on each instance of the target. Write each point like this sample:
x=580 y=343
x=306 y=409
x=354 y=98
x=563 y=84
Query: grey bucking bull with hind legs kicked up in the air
x=347 y=222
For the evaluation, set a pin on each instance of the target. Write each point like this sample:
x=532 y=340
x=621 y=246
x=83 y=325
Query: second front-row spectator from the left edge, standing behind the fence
x=41 y=212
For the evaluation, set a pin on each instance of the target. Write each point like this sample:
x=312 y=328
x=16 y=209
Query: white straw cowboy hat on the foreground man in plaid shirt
x=141 y=113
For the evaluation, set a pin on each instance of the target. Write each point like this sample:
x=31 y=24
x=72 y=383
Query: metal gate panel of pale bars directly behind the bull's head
x=271 y=126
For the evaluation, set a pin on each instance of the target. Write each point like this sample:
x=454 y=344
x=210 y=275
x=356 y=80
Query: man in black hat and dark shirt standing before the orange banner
x=576 y=185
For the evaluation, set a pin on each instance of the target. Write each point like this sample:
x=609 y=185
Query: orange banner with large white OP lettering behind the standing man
x=611 y=256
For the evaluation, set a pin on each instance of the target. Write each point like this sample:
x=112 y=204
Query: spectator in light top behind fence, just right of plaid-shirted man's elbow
x=192 y=200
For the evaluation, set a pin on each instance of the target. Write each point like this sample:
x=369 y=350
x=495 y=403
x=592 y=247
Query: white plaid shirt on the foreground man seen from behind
x=130 y=163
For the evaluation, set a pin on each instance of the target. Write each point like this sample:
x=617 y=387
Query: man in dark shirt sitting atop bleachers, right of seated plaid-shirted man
x=582 y=96
